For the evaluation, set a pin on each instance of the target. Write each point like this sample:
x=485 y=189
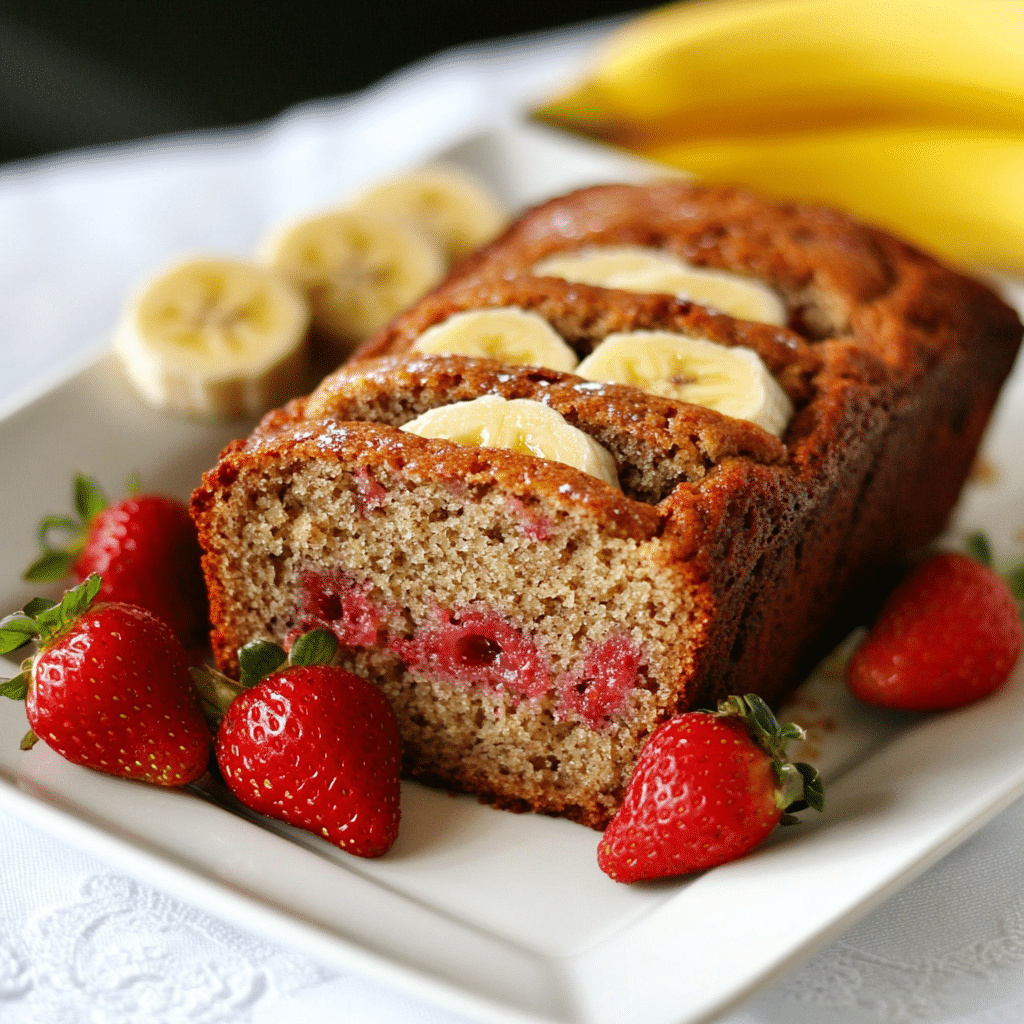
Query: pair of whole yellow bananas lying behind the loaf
x=910 y=115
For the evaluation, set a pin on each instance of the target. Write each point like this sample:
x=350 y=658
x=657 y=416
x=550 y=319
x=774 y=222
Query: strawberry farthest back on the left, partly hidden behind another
x=145 y=547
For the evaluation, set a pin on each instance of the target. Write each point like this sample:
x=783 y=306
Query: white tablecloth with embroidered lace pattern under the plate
x=80 y=943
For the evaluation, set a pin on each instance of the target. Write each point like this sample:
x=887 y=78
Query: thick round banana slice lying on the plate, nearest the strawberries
x=216 y=338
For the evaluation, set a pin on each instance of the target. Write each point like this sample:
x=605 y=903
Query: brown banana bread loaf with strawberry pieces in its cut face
x=532 y=624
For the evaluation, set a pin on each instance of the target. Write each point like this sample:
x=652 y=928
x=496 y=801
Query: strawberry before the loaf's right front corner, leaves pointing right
x=708 y=788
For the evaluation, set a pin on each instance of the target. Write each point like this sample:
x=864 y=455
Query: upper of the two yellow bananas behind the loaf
x=720 y=68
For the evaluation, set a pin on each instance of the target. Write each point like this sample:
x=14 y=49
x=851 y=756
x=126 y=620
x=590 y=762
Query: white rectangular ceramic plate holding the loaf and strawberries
x=500 y=917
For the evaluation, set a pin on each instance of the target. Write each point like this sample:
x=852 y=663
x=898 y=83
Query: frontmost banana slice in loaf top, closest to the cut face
x=522 y=425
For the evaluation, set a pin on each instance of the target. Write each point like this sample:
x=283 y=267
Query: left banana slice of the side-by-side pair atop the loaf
x=508 y=334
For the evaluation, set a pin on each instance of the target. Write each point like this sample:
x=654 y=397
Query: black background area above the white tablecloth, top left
x=77 y=74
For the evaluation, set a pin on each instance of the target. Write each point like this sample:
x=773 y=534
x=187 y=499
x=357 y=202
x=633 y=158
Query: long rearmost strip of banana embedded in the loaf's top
x=635 y=269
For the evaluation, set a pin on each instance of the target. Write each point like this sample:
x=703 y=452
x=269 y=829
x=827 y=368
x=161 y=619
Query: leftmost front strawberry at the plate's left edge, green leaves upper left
x=109 y=689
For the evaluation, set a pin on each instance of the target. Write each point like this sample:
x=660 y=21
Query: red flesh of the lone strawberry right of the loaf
x=949 y=634
